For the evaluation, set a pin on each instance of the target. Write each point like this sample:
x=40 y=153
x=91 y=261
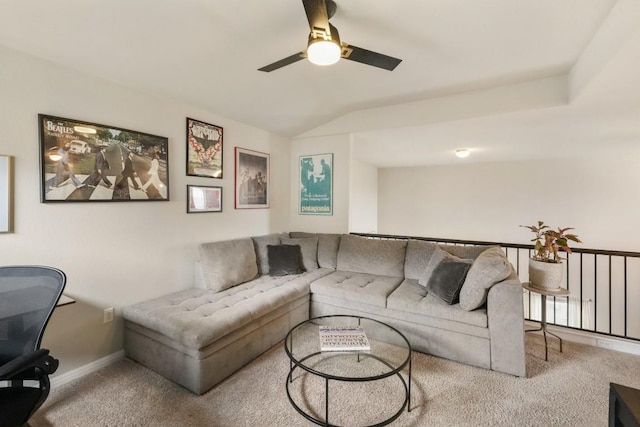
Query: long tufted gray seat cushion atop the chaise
x=198 y=317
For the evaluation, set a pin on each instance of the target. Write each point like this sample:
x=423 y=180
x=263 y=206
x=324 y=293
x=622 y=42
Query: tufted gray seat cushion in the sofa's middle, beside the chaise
x=365 y=288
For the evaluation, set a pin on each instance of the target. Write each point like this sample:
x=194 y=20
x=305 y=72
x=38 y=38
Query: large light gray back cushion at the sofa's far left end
x=227 y=263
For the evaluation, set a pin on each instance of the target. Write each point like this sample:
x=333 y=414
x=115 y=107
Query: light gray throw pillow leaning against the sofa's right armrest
x=491 y=267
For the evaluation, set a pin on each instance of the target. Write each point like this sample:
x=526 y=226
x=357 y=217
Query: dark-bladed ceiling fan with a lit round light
x=324 y=46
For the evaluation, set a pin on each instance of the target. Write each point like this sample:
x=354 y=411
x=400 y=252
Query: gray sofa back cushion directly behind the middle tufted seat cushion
x=372 y=256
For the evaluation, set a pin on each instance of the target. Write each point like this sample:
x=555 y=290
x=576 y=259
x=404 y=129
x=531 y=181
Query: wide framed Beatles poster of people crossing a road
x=88 y=162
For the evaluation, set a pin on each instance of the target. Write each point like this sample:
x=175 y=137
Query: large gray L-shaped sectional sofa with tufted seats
x=462 y=303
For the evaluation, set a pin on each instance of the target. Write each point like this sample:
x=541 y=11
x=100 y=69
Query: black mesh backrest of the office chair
x=28 y=295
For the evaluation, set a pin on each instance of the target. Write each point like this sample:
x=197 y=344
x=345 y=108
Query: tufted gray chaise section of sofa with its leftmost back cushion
x=198 y=337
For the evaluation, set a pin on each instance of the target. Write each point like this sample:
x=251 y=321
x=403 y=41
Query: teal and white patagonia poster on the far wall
x=316 y=184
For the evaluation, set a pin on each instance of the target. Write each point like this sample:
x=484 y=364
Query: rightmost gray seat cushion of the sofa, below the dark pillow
x=413 y=298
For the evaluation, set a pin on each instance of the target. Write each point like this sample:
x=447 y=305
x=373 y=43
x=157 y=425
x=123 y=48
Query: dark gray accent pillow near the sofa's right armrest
x=447 y=279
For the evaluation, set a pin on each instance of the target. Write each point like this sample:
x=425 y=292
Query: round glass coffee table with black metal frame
x=388 y=357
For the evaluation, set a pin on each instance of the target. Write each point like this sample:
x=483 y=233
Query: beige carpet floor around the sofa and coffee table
x=571 y=389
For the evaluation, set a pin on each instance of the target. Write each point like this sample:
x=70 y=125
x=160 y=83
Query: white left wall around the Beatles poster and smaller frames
x=116 y=254
